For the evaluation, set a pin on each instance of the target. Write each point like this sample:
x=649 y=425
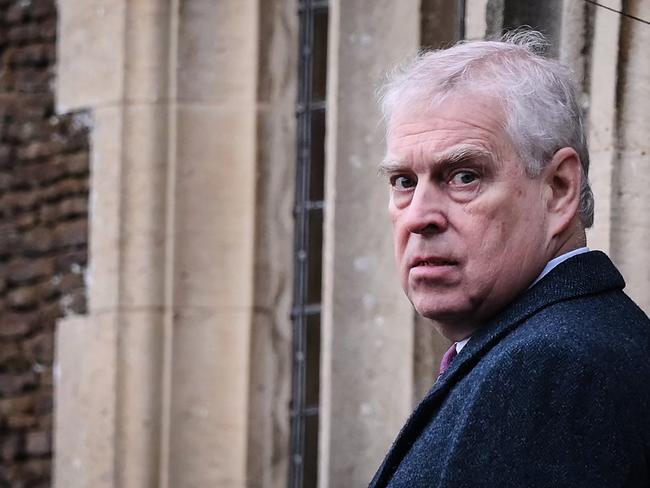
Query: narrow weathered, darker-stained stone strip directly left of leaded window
x=270 y=355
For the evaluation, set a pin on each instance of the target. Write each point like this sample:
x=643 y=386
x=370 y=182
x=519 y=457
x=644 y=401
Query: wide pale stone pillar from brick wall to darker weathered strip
x=152 y=386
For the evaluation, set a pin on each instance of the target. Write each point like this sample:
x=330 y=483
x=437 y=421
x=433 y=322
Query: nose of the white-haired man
x=426 y=213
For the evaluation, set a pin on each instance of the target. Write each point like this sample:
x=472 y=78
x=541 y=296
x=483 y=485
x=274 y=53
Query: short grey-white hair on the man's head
x=538 y=96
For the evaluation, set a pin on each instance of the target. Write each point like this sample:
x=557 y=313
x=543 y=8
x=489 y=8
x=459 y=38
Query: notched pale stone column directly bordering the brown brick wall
x=108 y=386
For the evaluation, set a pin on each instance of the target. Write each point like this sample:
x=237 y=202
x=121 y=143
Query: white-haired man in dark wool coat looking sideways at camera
x=547 y=383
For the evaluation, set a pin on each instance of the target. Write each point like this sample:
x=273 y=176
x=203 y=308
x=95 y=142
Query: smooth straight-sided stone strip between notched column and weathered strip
x=212 y=229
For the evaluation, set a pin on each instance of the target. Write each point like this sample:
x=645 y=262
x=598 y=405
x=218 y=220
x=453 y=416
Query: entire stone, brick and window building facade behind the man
x=196 y=276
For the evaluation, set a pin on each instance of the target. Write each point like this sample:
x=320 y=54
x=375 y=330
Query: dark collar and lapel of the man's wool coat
x=581 y=275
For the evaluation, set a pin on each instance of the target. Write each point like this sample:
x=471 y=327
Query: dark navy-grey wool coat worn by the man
x=552 y=392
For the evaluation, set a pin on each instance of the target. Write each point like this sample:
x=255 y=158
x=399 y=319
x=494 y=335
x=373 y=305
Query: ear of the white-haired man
x=562 y=178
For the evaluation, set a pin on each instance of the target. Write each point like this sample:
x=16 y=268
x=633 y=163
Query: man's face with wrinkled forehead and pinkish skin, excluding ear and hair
x=470 y=226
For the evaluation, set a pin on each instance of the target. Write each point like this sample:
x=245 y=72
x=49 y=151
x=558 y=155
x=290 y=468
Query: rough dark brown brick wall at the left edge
x=43 y=235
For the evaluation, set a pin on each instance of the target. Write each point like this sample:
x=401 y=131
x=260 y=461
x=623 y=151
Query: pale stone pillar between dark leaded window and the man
x=367 y=334
